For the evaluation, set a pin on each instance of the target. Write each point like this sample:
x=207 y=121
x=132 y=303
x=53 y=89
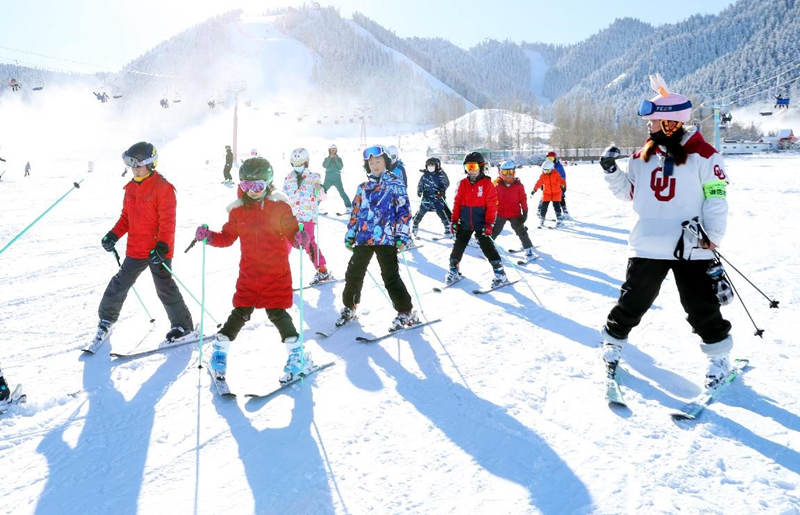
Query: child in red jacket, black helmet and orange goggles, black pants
x=474 y=211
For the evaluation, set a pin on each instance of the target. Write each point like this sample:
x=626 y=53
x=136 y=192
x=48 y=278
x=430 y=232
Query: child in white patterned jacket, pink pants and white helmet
x=303 y=188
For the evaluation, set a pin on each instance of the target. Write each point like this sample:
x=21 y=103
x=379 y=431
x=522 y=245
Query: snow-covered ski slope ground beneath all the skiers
x=497 y=409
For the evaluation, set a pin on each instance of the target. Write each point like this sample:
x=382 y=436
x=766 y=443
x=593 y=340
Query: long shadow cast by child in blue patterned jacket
x=496 y=441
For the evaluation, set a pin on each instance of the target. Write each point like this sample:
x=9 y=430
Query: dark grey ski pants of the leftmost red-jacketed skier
x=117 y=291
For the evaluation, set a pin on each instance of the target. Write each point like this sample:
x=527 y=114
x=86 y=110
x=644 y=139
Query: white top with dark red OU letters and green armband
x=695 y=189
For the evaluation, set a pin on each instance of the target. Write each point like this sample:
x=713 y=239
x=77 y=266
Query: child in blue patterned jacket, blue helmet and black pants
x=379 y=225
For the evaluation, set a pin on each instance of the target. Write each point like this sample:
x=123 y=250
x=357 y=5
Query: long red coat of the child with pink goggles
x=265 y=230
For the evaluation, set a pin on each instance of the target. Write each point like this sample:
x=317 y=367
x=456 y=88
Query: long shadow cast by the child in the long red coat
x=284 y=467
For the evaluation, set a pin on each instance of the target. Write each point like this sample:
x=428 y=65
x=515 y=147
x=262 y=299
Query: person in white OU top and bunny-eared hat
x=673 y=178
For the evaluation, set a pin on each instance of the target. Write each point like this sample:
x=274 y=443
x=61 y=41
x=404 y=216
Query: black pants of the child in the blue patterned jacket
x=390 y=273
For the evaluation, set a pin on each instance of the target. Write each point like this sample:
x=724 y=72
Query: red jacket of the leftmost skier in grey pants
x=148 y=216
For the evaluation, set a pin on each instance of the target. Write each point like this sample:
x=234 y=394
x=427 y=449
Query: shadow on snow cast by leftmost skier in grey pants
x=112 y=449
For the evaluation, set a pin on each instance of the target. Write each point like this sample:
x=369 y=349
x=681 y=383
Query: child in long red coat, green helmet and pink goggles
x=263 y=222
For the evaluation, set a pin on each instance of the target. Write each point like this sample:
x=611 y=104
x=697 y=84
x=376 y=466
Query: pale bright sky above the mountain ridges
x=92 y=35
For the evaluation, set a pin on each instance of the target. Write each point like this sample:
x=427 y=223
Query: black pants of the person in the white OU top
x=695 y=288
